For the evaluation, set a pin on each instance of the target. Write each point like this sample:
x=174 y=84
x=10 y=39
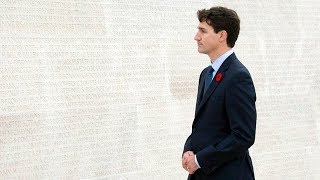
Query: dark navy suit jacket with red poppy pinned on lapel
x=224 y=125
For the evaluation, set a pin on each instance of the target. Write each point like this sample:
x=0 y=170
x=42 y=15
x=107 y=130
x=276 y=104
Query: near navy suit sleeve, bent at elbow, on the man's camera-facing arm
x=241 y=112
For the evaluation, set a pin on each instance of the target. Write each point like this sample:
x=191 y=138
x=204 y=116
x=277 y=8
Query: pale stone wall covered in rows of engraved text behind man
x=97 y=89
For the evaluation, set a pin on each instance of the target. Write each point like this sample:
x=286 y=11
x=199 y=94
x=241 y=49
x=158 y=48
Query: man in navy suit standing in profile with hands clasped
x=225 y=119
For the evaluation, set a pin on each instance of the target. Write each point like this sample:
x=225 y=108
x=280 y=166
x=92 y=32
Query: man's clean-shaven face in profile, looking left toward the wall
x=208 y=41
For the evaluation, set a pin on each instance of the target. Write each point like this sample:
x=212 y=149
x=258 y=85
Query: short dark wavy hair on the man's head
x=221 y=18
